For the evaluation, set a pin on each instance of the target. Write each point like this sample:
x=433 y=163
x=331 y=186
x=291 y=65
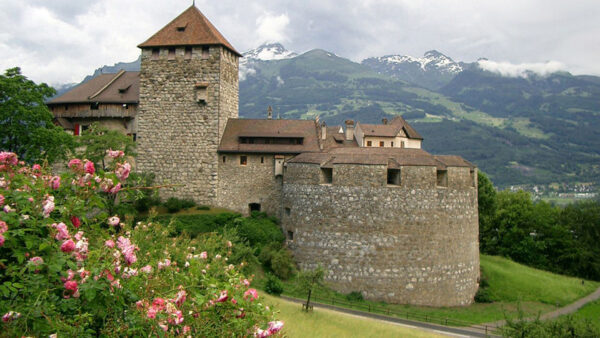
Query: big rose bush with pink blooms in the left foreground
x=70 y=265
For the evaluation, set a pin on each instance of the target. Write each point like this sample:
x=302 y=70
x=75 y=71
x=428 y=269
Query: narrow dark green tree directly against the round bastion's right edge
x=486 y=198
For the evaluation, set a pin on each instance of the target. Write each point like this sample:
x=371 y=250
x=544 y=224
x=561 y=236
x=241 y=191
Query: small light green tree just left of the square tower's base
x=97 y=139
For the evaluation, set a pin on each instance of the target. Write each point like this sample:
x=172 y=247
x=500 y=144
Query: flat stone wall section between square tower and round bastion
x=255 y=182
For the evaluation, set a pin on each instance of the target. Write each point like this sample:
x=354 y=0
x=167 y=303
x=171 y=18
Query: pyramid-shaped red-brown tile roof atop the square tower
x=190 y=28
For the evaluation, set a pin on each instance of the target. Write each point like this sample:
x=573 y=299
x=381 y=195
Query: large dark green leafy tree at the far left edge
x=26 y=126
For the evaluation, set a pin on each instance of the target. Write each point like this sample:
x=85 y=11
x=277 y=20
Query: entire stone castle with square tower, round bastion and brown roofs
x=383 y=216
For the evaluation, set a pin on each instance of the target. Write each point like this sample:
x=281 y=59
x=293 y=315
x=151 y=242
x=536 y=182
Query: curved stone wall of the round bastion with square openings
x=414 y=243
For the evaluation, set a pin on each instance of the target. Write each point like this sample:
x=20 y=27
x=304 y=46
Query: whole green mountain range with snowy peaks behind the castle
x=530 y=129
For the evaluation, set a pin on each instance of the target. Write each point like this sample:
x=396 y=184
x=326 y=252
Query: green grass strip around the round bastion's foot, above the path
x=511 y=285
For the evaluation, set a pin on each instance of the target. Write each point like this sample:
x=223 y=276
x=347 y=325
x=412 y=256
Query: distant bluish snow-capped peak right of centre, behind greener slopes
x=433 y=70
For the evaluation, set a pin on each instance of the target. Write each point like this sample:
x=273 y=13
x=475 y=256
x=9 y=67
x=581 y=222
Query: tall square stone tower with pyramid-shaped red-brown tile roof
x=188 y=91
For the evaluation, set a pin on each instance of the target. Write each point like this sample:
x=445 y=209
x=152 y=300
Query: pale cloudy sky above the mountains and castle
x=62 y=41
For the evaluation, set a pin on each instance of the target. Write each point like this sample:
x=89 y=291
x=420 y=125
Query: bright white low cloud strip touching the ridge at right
x=522 y=69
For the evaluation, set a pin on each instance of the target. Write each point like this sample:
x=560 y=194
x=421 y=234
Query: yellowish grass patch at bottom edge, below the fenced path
x=327 y=323
